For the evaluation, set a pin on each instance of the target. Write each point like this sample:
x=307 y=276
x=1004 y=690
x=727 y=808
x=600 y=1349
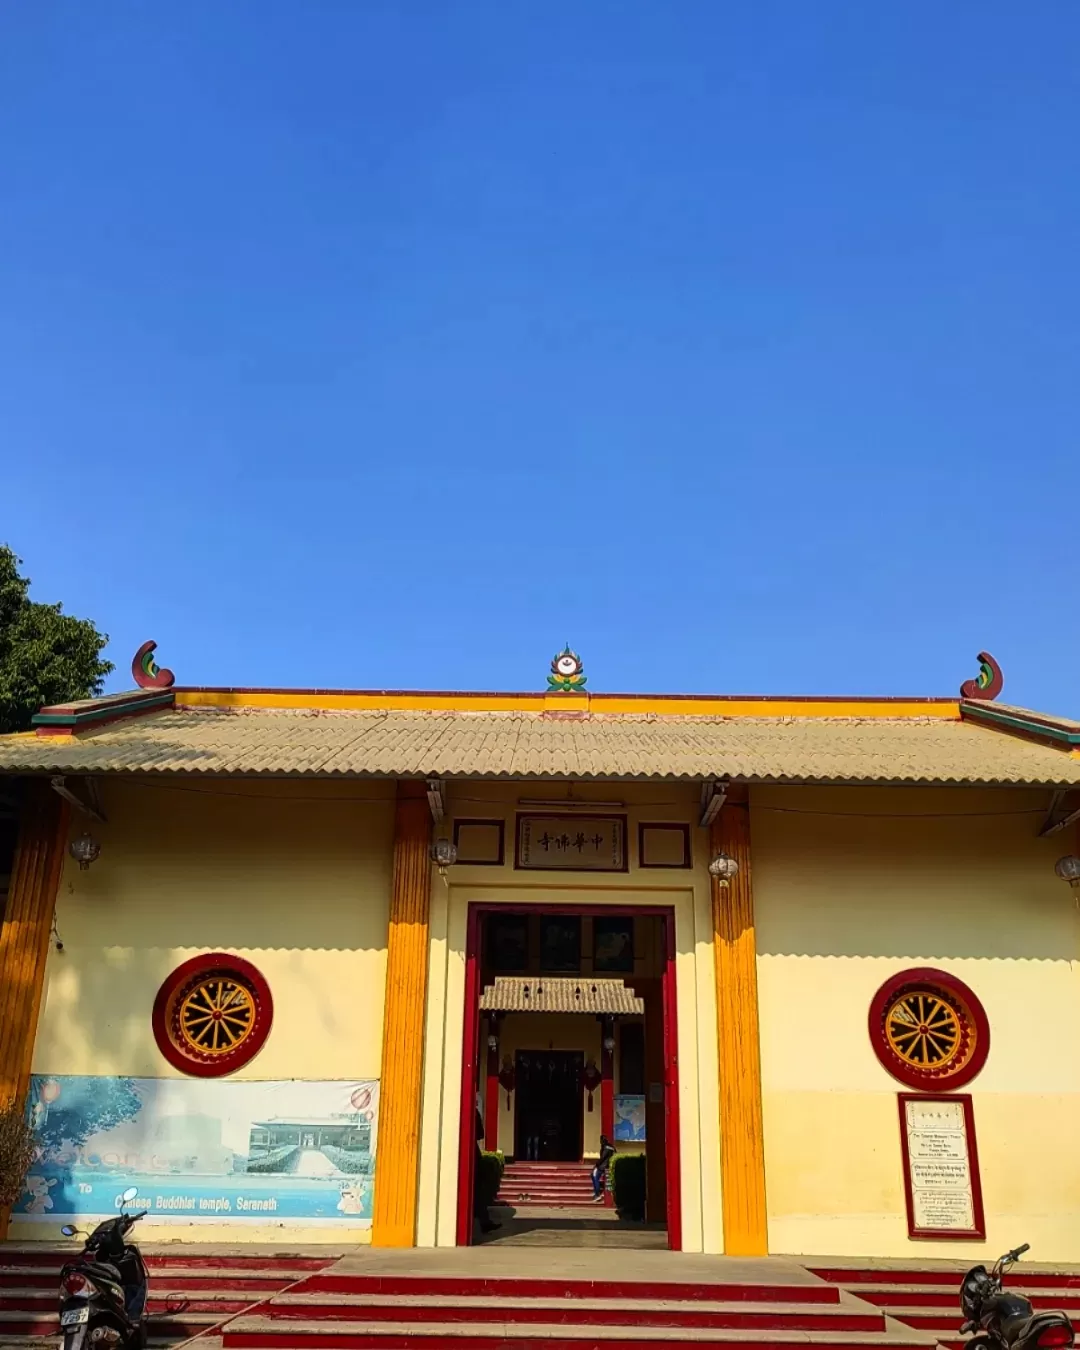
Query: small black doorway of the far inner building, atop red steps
x=549 y=1118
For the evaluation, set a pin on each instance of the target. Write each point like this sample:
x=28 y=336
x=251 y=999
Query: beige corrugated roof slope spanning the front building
x=530 y=746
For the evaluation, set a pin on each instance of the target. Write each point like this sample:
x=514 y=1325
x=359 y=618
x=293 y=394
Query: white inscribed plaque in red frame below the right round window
x=940 y=1167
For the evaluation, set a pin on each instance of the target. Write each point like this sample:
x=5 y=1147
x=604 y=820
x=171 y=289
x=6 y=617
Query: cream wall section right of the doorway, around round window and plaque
x=853 y=886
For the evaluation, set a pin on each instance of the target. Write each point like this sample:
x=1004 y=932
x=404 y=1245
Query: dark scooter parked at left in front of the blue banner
x=103 y=1295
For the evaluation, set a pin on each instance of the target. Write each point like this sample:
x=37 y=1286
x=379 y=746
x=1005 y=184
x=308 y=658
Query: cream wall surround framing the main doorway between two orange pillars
x=688 y=892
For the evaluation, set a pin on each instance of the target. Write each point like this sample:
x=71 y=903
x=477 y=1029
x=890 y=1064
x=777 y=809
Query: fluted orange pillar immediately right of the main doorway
x=742 y=1139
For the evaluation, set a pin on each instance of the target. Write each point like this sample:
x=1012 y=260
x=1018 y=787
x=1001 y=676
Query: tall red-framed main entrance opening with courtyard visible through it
x=570 y=1037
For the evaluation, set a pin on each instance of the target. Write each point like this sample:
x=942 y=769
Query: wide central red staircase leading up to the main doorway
x=342 y=1312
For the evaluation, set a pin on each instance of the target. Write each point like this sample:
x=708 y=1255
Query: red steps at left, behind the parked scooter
x=190 y=1295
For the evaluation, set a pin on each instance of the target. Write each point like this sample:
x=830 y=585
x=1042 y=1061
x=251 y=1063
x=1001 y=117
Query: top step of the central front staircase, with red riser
x=511 y=1289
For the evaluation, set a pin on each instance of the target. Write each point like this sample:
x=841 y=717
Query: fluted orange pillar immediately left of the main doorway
x=398 y=1156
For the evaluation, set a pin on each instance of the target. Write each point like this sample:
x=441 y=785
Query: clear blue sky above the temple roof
x=395 y=345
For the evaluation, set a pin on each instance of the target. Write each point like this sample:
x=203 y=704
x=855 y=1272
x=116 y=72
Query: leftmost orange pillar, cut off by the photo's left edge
x=25 y=939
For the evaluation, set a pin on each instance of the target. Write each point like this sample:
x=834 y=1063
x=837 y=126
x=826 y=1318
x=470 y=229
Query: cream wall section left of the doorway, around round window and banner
x=294 y=877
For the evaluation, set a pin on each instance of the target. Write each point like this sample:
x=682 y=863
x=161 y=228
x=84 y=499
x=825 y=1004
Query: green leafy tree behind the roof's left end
x=47 y=657
